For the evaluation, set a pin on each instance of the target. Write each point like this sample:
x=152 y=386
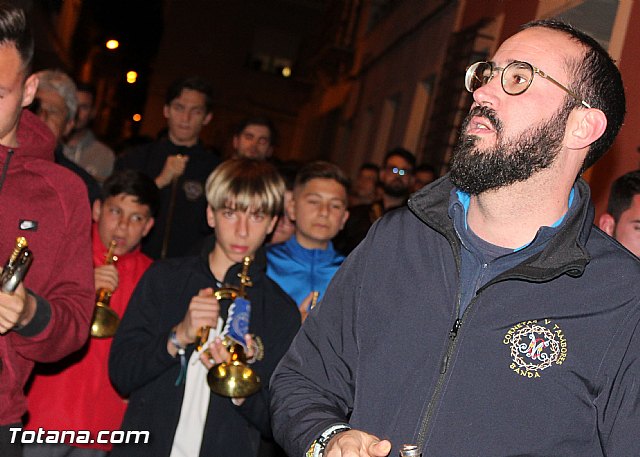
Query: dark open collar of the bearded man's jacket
x=565 y=253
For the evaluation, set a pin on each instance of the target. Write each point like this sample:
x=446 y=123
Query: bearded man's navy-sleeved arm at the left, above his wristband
x=313 y=387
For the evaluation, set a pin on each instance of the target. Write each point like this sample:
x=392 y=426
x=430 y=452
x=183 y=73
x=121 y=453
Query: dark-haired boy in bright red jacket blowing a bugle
x=76 y=394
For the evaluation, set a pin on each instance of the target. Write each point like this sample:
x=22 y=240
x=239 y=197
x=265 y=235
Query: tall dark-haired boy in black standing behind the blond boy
x=179 y=164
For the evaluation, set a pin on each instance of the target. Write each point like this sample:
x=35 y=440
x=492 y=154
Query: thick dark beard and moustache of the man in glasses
x=476 y=170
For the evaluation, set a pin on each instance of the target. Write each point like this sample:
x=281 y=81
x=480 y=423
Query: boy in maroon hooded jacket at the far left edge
x=48 y=315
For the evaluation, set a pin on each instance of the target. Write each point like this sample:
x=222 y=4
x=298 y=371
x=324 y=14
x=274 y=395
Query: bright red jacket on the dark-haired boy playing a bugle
x=77 y=394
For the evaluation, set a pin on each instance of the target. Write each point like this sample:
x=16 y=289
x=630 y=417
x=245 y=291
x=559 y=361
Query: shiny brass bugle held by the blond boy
x=233 y=379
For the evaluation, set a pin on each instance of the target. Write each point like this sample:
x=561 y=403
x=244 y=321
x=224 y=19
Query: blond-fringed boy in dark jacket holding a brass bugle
x=156 y=341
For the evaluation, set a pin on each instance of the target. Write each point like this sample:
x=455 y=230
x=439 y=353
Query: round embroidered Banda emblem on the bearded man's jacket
x=535 y=346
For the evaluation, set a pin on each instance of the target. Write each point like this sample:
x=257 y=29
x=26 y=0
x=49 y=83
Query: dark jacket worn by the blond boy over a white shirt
x=141 y=368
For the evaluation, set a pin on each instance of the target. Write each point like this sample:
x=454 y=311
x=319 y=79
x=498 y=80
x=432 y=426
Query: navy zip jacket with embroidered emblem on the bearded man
x=544 y=362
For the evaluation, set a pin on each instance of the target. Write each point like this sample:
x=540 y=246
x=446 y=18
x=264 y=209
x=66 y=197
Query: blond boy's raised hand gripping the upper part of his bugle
x=203 y=311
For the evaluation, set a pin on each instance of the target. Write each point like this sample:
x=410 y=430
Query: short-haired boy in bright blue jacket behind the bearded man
x=304 y=265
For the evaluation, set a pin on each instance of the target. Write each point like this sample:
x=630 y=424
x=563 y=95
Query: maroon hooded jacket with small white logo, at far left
x=47 y=204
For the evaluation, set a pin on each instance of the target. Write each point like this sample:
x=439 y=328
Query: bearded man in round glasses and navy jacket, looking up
x=490 y=317
